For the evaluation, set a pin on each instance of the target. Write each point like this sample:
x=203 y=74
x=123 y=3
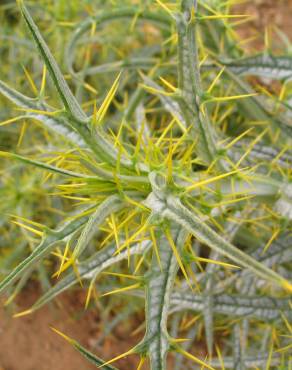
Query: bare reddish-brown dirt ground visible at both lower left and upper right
x=28 y=343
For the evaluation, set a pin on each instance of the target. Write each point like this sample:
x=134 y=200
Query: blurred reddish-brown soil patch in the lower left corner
x=28 y=343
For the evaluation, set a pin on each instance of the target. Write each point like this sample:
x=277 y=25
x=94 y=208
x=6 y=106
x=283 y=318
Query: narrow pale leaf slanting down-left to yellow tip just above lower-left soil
x=91 y=268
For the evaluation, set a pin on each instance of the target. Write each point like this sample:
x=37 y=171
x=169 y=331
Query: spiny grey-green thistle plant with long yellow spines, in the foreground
x=181 y=172
